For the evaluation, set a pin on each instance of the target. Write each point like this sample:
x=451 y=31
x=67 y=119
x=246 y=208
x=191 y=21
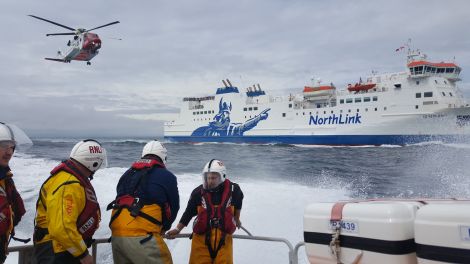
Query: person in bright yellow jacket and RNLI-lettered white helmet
x=67 y=211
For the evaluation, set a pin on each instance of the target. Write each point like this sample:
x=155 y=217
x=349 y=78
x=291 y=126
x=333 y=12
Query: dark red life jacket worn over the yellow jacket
x=88 y=220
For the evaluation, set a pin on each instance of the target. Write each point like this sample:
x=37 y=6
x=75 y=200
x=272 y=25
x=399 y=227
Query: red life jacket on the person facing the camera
x=211 y=216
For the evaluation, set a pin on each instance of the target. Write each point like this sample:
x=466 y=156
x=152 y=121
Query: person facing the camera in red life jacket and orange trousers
x=217 y=203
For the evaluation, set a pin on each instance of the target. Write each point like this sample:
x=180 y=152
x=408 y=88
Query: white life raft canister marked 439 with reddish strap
x=371 y=232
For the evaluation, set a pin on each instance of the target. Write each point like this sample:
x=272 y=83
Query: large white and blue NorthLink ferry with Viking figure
x=420 y=104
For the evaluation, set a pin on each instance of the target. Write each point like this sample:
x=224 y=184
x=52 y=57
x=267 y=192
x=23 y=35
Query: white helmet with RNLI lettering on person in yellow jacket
x=90 y=154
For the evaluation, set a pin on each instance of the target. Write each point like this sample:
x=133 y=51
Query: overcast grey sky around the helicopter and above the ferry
x=173 y=49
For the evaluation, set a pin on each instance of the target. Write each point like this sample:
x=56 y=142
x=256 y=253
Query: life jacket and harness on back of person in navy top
x=128 y=196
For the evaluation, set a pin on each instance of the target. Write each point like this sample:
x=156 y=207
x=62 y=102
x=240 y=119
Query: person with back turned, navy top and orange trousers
x=146 y=205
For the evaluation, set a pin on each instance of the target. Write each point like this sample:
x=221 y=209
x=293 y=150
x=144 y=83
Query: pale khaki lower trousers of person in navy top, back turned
x=138 y=250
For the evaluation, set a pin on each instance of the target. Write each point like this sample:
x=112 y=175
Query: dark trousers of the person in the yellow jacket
x=44 y=254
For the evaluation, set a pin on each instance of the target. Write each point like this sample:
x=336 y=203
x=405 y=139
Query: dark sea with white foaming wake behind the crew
x=278 y=182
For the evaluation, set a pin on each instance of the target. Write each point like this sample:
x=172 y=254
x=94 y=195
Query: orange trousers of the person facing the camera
x=200 y=252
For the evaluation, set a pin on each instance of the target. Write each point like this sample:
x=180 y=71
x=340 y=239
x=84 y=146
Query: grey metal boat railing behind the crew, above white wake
x=25 y=252
